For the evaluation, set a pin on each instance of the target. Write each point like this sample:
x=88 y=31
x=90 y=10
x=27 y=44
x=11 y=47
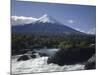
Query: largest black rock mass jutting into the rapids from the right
x=71 y=56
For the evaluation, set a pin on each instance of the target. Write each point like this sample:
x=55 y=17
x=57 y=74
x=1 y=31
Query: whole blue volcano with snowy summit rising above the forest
x=47 y=26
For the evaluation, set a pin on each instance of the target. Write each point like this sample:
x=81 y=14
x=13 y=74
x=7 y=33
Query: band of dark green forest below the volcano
x=20 y=41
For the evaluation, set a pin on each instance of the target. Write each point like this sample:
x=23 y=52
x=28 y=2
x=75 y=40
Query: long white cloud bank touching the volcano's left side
x=21 y=20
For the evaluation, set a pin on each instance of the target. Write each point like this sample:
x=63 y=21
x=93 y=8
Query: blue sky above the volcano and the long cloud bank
x=80 y=17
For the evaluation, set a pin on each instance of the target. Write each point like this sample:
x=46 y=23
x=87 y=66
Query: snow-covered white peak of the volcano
x=45 y=18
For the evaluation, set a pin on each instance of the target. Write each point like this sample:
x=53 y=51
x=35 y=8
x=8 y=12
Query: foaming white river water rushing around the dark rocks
x=39 y=64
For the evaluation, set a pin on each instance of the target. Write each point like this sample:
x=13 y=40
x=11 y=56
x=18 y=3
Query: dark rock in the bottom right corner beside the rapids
x=91 y=63
